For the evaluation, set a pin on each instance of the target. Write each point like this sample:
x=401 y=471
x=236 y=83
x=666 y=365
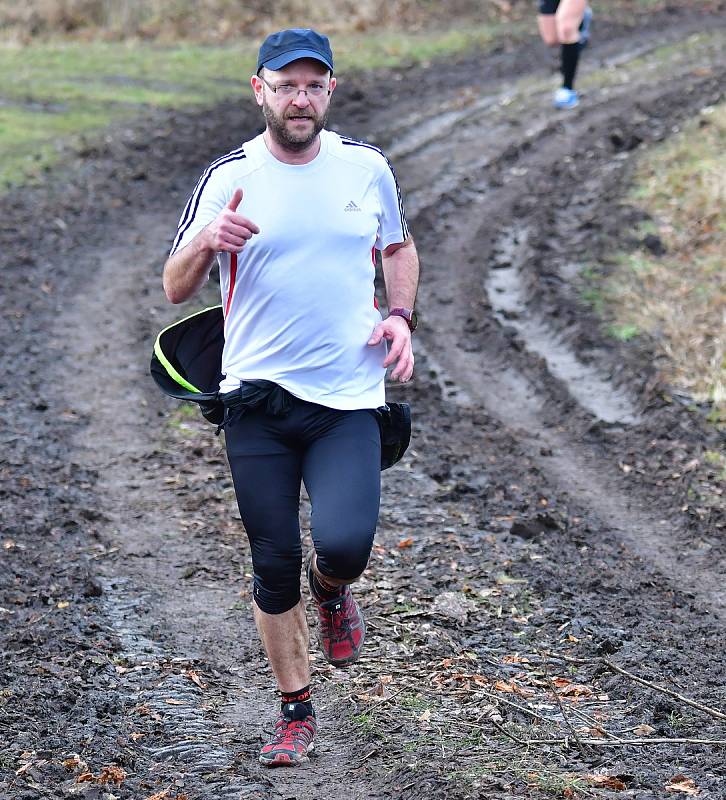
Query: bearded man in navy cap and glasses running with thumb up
x=292 y=218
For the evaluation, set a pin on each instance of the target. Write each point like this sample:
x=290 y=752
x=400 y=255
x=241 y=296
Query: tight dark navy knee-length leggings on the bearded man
x=337 y=454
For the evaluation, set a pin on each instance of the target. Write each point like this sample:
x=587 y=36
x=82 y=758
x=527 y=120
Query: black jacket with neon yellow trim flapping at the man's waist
x=187 y=364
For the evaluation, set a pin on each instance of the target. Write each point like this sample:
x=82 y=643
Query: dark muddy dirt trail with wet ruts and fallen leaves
x=543 y=529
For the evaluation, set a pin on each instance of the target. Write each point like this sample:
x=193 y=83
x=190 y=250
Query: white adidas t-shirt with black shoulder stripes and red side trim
x=299 y=299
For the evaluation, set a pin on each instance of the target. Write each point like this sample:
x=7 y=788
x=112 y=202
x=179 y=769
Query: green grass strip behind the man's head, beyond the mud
x=56 y=91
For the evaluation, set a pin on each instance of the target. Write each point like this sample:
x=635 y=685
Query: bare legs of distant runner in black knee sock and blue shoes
x=565 y=23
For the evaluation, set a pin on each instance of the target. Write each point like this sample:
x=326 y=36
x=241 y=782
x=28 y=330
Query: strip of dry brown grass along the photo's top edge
x=222 y=20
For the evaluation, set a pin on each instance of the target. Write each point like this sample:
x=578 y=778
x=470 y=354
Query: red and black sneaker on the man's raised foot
x=342 y=629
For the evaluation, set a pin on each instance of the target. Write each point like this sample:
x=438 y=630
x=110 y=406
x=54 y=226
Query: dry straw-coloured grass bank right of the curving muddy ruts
x=680 y=297
